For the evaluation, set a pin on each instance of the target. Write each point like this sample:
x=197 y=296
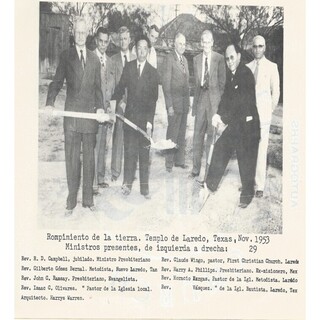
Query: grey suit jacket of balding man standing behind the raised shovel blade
x=175 y=83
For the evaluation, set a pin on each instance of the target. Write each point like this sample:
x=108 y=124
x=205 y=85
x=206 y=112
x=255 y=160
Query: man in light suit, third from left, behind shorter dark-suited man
x=119 y=60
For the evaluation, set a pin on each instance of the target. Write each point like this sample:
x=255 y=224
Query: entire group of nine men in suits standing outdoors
x=222 y=98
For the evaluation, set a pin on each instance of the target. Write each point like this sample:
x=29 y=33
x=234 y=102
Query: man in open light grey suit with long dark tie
x=210 y=77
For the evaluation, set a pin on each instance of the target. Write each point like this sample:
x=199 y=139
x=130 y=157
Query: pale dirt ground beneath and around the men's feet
x=175 y=197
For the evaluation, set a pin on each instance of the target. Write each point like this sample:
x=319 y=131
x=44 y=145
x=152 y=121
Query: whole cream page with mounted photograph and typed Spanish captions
x=160 y=160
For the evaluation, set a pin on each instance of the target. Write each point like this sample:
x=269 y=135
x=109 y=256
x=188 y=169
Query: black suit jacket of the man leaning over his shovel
x=239 y=102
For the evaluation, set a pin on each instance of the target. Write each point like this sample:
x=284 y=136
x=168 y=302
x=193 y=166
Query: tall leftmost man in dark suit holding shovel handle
x=81 y=69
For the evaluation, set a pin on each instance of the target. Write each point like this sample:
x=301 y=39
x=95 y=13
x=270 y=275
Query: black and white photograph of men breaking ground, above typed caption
x=195 y=135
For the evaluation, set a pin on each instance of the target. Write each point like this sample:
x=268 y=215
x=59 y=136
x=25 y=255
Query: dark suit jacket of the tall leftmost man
x=83 y=89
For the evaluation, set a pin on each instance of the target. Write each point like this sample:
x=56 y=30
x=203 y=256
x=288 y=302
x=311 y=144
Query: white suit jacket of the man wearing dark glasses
x=267 y=88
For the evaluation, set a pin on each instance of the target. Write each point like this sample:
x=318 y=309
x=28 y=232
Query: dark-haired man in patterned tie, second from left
x=102 y=41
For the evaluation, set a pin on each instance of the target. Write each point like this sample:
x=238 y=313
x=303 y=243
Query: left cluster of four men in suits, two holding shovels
x=92 y=80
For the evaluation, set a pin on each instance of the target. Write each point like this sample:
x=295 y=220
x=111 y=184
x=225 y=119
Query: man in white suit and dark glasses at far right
x=267 y=92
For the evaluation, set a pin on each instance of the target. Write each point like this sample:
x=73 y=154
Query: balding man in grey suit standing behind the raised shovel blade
x=175 y=84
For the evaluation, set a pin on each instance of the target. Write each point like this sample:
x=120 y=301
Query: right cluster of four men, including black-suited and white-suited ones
x=234 y=103
